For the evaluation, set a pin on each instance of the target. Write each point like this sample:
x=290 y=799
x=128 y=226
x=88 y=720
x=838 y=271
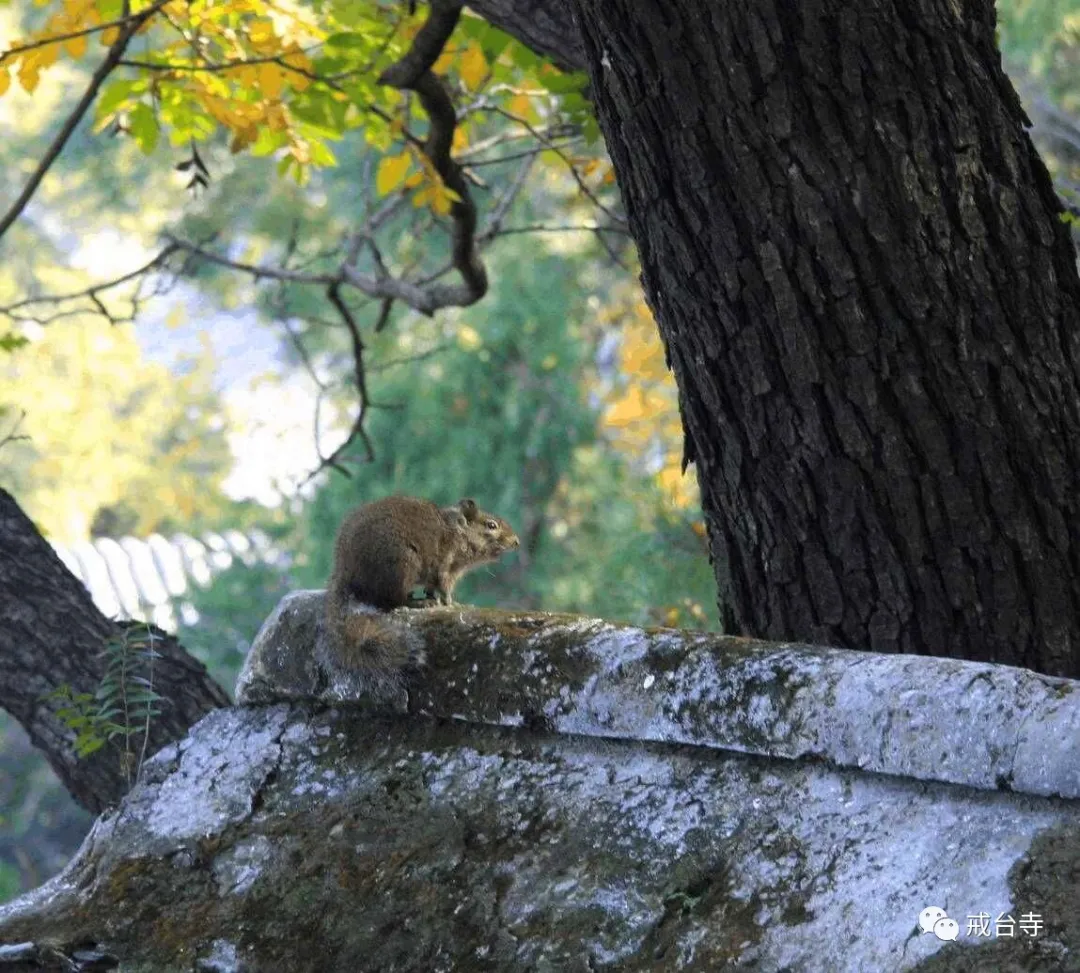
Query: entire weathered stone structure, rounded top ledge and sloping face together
x=561 y=794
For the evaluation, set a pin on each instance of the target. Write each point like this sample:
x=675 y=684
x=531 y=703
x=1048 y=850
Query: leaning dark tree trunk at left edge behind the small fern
x=52 y=636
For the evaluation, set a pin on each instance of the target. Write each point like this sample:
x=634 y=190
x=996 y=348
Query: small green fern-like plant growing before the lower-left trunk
x=126 y=704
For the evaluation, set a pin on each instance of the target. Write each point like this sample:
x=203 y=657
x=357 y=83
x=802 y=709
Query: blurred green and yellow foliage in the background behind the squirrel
x=549 y=402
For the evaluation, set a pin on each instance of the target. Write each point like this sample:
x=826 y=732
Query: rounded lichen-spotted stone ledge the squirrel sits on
x=987 y=726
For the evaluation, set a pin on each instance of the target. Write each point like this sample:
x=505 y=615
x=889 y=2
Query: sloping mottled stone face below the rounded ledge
x=281 y=839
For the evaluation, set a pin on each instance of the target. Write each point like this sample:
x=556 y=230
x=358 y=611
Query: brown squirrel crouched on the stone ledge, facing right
x=387 y=549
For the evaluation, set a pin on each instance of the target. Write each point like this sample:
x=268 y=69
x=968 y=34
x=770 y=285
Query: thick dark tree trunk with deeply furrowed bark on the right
x=872 y=310
